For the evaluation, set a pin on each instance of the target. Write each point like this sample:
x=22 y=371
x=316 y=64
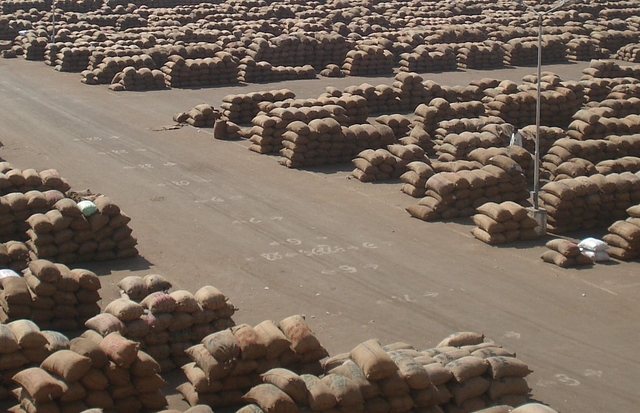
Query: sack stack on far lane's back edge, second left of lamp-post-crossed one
x=428 y=59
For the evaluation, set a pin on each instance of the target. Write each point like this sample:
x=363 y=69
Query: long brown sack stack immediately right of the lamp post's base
x=597 y=200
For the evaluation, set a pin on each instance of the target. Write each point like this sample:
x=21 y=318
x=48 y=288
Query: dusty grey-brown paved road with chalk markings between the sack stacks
x=280 y=242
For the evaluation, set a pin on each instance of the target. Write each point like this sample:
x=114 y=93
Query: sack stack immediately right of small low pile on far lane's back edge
x=221 y=69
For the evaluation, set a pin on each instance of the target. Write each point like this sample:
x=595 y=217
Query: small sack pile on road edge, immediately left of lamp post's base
x=503 y=223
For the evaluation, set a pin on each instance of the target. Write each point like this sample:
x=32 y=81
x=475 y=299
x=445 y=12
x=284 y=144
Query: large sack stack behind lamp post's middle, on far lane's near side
x=517 y=104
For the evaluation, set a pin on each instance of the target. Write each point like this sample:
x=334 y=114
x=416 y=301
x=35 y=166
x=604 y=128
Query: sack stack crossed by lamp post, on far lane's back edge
x=523 y=51
